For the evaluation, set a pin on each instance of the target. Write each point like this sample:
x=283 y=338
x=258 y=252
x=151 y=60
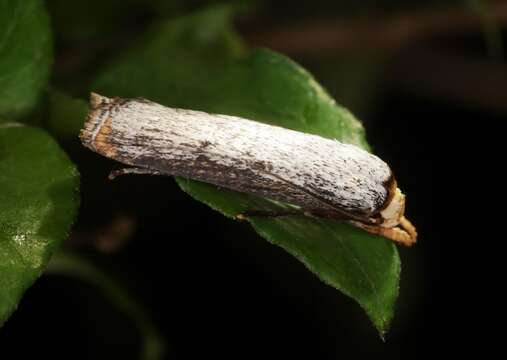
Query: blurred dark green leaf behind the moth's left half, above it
x=183 y=60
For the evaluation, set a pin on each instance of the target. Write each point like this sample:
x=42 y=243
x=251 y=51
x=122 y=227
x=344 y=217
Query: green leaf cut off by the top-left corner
x=25 y=55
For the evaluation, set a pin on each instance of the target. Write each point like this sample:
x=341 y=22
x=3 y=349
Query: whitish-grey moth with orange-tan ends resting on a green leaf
x=323 y=178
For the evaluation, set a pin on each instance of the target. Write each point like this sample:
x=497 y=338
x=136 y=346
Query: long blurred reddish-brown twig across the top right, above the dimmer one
x=374 y=32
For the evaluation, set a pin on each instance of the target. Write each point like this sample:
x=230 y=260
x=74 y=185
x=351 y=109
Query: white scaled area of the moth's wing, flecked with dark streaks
x=343 y=174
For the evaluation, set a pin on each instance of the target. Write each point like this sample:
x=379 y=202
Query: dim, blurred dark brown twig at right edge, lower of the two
x=470 y=81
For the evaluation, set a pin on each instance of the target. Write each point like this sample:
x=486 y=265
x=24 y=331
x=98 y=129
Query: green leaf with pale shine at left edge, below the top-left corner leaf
x=38 y=203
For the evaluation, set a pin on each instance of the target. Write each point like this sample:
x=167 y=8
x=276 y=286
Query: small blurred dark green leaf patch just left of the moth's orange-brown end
x=66 y=115
